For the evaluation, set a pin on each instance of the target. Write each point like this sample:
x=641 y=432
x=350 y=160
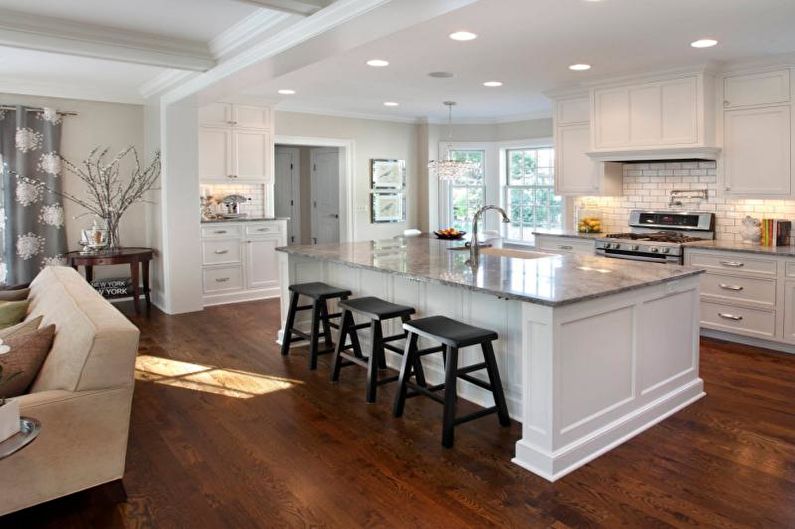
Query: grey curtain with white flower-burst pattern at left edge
x=33 y=234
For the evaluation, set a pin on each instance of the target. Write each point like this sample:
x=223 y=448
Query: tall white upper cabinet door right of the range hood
x=757 y=151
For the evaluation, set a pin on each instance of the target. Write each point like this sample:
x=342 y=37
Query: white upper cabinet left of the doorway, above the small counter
x=235 y=143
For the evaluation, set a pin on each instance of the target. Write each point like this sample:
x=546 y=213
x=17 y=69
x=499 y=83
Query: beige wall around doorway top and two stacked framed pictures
x=373 y=139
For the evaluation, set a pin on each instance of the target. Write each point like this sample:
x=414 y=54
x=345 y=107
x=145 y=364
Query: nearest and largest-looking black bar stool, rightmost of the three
x=453 y=336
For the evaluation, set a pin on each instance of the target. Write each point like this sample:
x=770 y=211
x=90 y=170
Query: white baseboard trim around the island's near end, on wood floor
x=554 y=465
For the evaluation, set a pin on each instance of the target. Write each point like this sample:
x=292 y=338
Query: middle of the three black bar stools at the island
x=376 y=310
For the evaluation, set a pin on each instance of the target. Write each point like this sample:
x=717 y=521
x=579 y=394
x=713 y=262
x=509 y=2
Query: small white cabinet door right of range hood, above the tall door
x=762 y=88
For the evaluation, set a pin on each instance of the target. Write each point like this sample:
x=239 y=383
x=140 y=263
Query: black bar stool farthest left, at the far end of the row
x=319 y=293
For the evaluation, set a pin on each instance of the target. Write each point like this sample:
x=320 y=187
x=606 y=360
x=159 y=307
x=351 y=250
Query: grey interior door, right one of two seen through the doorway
x=325 y=195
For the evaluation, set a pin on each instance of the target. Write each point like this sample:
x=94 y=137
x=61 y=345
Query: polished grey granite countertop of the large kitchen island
x=552 y=280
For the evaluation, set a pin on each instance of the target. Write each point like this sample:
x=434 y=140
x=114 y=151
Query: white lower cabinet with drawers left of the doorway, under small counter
x=239 y=261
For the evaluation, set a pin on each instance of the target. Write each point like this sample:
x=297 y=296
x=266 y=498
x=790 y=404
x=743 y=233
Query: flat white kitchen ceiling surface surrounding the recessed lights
x=528 y=45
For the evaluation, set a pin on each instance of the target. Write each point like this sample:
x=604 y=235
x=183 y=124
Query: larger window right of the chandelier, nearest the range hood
x=530 y=192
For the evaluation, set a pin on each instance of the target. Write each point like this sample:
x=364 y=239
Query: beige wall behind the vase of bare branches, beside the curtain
x=109 y=124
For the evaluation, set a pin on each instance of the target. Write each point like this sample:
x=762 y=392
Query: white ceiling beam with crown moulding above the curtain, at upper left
x=22 y=30
